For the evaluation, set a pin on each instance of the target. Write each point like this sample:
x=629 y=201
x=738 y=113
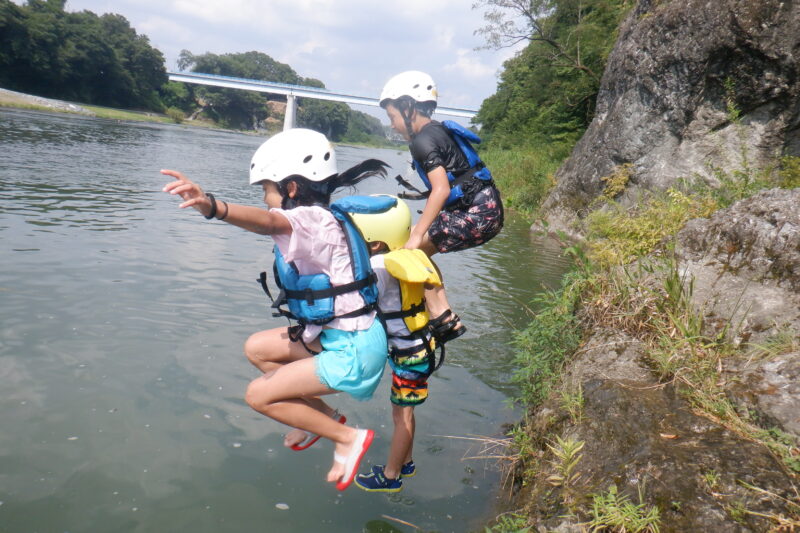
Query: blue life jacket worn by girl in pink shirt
x=310 y=297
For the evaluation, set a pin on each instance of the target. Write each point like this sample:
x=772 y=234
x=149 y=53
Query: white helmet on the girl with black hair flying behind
x=293 y=152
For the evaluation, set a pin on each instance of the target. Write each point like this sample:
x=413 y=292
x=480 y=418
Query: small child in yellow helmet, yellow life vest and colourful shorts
x=403 y=276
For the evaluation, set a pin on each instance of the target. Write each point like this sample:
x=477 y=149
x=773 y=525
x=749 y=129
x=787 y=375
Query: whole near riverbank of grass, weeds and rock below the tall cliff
x=661 y=380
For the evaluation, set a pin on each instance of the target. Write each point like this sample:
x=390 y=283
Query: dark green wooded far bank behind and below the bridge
x=101 y=60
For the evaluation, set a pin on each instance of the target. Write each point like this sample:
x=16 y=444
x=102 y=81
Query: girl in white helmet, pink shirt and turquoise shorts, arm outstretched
x=343 y=350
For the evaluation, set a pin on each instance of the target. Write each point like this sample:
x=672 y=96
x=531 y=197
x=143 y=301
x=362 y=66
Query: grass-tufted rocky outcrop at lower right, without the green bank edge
x=704 y=426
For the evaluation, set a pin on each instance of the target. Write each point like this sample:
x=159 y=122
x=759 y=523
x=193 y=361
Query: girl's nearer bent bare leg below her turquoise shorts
x=282 y=397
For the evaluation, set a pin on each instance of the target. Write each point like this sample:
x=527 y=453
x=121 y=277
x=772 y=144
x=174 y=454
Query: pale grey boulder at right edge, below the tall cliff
x=745 y=265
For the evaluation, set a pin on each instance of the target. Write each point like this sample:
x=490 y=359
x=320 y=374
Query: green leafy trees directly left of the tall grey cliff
x=547 y=92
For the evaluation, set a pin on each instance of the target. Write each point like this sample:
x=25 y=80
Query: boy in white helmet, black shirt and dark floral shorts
x=463 y=207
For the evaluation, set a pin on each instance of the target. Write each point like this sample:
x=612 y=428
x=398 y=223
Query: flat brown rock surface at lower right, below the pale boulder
x=646 y=437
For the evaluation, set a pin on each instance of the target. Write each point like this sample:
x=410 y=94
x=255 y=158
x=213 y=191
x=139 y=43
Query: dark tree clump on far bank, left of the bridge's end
x=77 y=56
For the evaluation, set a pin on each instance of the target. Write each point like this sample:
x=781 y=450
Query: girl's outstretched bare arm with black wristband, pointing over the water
x=250 y=218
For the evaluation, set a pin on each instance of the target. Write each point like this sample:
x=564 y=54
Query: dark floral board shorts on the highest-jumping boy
x=461 y=228
